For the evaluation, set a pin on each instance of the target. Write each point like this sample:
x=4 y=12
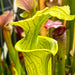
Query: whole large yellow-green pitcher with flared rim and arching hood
x=37 y=50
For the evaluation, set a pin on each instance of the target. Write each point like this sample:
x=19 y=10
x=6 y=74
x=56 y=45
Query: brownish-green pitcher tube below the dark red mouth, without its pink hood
x=60 y=57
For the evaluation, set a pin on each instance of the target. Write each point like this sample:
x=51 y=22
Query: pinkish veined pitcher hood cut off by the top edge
x=28 y=5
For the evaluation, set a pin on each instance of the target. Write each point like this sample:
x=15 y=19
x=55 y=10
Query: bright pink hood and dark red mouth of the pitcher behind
x=59 y=28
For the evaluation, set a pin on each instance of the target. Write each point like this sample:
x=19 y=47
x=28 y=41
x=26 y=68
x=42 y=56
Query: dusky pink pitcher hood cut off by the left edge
x=6 y=18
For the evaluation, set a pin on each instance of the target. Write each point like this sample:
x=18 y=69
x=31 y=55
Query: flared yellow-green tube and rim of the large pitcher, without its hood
x=37 y=60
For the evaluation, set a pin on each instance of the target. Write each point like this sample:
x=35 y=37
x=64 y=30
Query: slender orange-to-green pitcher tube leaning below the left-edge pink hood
x=12 y=52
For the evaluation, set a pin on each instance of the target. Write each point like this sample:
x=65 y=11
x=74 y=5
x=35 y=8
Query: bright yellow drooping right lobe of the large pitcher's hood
x=62 y=12
